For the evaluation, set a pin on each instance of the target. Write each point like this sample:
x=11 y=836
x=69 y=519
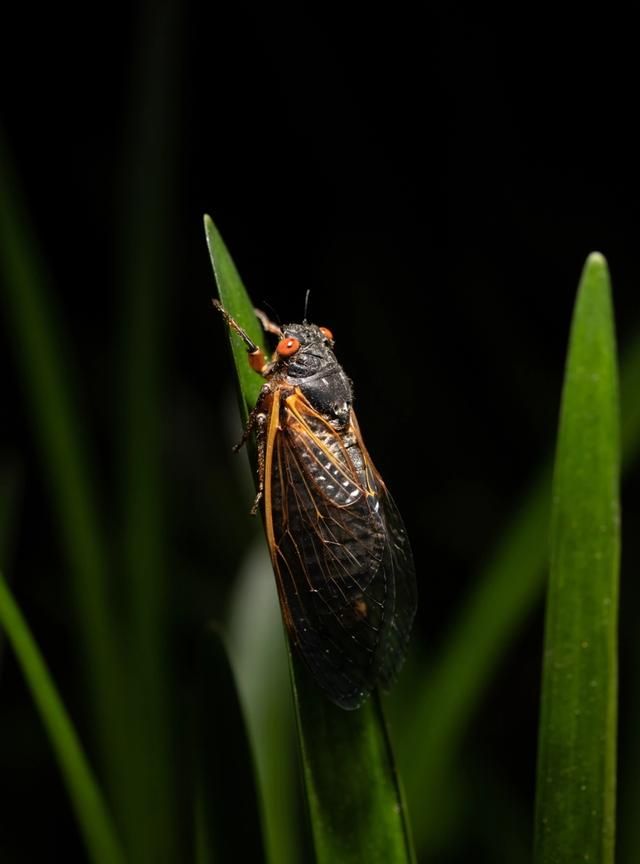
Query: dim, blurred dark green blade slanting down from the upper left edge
x=40 y=343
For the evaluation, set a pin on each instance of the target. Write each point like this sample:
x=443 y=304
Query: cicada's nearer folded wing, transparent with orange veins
x=328 y=549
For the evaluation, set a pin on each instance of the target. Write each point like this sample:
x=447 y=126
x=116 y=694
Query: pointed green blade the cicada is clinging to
x=354 y=799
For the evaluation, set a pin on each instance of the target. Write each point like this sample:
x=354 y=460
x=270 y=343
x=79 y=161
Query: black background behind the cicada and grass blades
x=437 y=183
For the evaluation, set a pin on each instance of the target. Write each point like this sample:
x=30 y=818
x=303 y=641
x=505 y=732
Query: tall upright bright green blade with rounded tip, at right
x=575 y=806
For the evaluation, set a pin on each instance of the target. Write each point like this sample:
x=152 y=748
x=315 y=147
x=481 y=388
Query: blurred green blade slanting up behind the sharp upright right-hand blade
x=506 y=590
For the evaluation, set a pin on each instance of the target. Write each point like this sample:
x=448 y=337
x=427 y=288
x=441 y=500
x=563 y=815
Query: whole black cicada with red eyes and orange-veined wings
x=340 y=552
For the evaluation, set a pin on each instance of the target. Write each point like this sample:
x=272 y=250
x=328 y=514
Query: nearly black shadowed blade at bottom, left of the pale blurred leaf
x=230 y=828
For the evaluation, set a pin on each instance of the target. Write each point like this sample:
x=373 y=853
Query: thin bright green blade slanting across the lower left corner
x=88 y=804
